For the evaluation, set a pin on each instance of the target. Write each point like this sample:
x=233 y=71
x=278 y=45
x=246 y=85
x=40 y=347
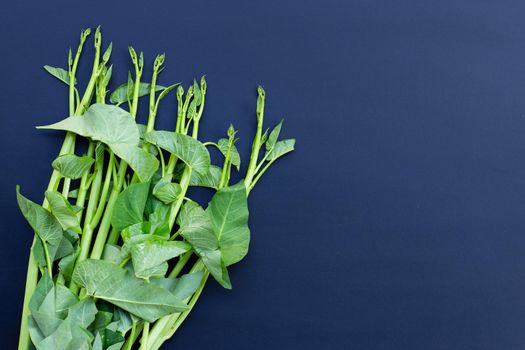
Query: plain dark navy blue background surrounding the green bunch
x=398 y=222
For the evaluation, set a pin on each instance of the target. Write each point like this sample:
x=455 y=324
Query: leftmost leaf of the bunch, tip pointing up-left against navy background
x=45 y=225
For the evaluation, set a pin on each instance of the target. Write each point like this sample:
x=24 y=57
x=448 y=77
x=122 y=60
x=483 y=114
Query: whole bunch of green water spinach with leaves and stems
x=120 y=253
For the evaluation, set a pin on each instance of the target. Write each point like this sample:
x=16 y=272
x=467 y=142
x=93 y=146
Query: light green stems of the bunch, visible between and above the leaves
x=99 y=188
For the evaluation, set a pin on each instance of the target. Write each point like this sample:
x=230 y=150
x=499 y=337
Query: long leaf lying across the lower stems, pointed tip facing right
x=116 y=285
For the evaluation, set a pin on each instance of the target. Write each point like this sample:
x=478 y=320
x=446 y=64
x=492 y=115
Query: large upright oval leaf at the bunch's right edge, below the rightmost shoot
x=229 y=215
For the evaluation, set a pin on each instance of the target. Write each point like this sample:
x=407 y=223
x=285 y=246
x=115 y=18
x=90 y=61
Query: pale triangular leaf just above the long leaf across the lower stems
x=150 y=251
